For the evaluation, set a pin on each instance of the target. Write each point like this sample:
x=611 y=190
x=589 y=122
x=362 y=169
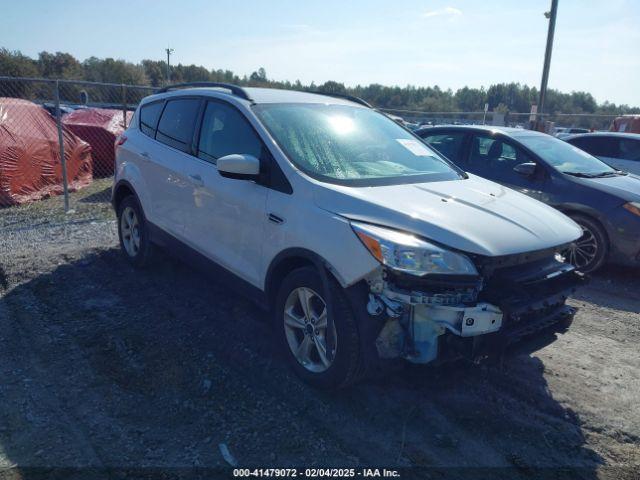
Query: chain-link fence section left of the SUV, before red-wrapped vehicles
x=57 y=153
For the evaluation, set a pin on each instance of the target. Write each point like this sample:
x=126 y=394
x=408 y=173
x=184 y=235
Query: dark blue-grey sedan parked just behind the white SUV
x=604 y=201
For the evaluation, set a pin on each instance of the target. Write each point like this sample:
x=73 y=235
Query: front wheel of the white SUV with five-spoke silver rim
x=343 y=351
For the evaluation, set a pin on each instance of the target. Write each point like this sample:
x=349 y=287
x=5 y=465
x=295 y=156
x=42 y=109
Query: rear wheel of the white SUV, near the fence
x=133 y=233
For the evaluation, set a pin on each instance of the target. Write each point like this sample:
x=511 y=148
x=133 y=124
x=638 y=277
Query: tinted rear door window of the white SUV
x=176 y=124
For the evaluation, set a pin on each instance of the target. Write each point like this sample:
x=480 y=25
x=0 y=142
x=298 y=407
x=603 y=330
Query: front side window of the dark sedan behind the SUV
x=495 y=159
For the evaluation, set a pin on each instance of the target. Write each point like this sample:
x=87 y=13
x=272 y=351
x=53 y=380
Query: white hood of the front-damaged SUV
x=473 y=215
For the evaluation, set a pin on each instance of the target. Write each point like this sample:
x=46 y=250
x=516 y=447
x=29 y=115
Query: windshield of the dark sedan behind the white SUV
x=565 y=157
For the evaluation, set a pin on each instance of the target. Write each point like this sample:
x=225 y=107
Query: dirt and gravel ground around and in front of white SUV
x=103 y=366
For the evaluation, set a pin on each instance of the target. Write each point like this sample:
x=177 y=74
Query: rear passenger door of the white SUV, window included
x=165 y=156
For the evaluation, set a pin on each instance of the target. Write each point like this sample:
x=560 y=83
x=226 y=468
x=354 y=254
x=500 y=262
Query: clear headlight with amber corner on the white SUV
x=409 y=254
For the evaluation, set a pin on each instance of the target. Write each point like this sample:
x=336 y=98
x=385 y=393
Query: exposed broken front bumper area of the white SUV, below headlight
x=426 y=332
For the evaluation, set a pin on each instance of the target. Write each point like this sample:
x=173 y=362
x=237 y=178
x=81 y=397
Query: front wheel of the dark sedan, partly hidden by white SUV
x=593 y=244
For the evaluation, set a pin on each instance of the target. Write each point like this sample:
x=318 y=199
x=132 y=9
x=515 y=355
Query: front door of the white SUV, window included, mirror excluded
x=226 y=217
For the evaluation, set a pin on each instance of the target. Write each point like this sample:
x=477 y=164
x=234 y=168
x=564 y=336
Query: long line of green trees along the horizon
x=503 y=97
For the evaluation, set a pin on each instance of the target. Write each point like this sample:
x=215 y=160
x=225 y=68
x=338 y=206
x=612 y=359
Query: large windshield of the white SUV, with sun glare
x=351 y=145
